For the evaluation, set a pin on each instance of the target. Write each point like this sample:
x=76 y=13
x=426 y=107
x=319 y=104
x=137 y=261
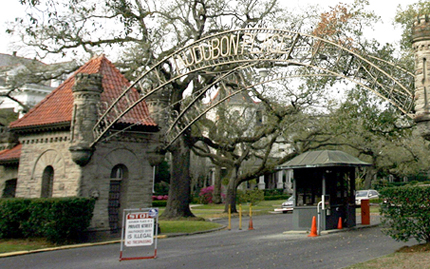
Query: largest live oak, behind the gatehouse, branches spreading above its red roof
x=140 y=33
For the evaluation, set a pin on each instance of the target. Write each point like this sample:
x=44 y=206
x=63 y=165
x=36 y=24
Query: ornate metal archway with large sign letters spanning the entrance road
x=243 y=53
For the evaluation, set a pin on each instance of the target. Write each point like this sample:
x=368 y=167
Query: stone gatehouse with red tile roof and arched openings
x=52 y=157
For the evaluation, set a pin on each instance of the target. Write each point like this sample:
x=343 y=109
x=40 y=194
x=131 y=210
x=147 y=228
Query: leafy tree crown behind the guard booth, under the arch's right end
x=376 y=133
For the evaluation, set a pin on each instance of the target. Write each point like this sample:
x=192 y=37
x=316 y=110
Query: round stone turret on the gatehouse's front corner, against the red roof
x=86 y=97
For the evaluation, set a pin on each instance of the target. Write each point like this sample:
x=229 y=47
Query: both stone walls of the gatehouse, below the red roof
x=91 y=180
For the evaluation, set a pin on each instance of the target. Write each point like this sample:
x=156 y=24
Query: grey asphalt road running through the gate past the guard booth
x=266 y=246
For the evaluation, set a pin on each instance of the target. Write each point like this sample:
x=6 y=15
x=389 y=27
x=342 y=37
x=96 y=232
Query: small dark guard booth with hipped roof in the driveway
x=324 y=187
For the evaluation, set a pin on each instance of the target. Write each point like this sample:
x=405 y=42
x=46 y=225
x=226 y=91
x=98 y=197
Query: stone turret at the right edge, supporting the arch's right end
x=421 y=46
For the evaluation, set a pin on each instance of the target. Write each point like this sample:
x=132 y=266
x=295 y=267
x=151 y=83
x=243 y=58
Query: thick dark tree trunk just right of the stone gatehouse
x=178 y=203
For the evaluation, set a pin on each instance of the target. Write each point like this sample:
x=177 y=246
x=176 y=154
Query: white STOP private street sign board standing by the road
x=139 y=230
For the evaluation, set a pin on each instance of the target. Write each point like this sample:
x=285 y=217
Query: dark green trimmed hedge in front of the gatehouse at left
x=59 y=220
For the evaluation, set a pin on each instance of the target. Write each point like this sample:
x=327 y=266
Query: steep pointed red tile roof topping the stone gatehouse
x=57 y=107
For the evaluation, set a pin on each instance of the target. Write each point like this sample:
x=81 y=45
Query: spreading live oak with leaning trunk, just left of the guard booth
x=247 y=148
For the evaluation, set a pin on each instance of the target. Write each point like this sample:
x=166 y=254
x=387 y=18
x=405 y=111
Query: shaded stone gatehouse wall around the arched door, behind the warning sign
x=136 y=186
